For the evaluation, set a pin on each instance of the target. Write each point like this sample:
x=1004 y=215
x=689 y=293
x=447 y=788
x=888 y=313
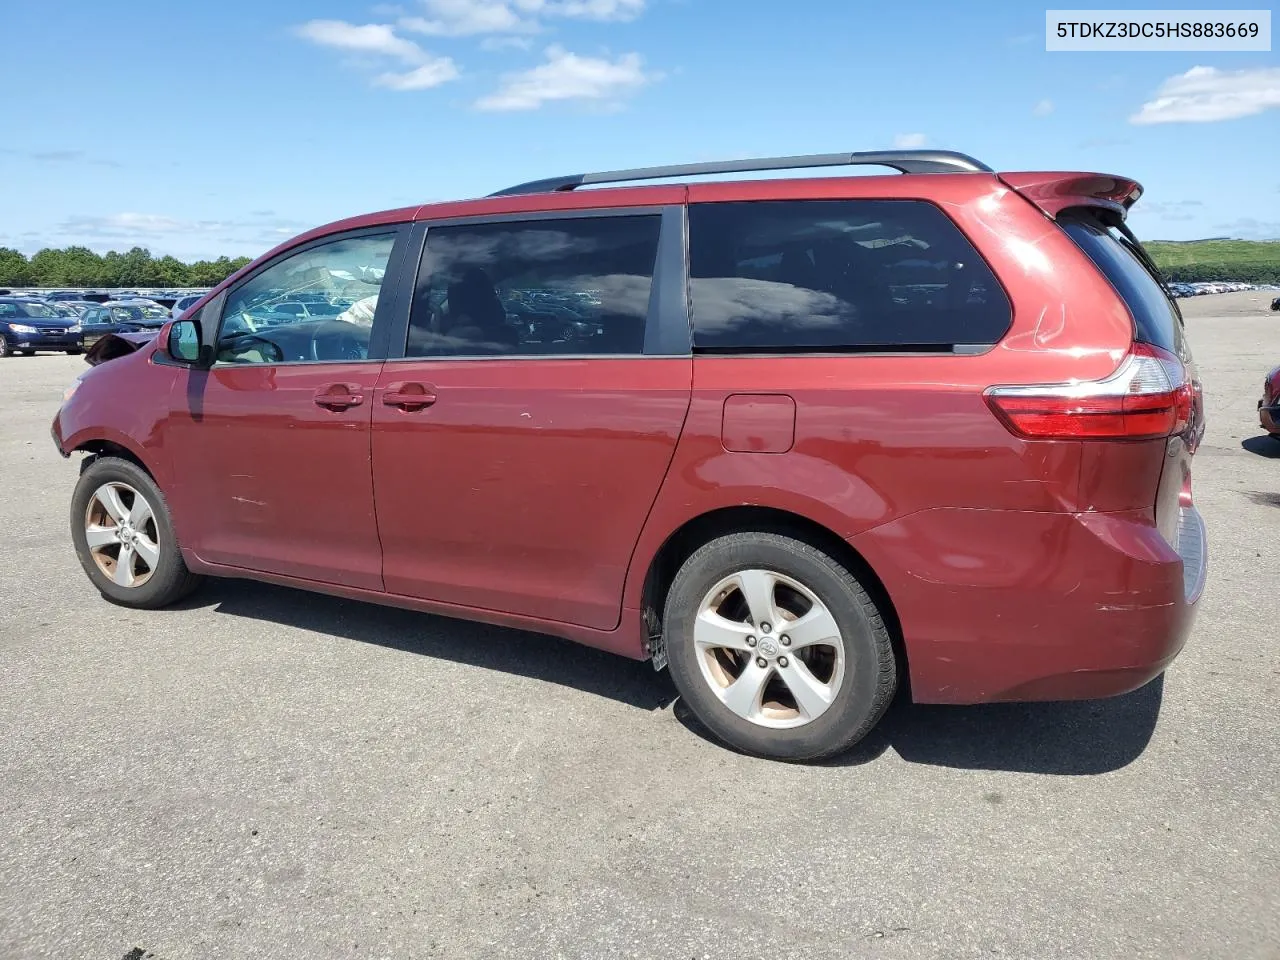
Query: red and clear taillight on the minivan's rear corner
x=1148 y=397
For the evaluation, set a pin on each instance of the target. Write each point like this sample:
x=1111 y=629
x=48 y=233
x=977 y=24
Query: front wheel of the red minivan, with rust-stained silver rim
x=94 y=514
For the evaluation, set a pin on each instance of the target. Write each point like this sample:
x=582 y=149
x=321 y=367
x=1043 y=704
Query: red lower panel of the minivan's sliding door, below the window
x=524 y=487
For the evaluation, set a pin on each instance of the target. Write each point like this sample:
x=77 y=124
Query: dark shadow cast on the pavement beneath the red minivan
x=1084 y=738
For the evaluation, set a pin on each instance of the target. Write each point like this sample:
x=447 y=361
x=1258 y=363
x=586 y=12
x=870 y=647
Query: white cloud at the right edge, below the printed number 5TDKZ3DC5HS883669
x=1206 y=94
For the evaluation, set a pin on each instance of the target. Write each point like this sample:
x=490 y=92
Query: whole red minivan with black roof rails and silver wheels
x=802 y=441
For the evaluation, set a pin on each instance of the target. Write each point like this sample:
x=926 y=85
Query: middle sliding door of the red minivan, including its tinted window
x=515 y=463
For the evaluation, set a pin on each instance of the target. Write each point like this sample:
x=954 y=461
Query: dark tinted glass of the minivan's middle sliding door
x=547 y=287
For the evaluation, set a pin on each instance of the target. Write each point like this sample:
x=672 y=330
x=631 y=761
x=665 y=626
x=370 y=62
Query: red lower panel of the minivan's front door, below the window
x=271 y=479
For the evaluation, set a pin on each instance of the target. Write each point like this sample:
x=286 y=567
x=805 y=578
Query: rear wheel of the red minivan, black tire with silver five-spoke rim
x=856 y=673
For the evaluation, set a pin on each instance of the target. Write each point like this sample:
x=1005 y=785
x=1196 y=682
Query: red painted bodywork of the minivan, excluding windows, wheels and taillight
x=538 y=493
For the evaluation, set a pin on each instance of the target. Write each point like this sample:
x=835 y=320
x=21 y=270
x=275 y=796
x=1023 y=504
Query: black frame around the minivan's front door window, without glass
x=383 y=316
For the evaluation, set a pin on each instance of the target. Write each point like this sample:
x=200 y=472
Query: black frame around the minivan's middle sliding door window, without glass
x=668 y=327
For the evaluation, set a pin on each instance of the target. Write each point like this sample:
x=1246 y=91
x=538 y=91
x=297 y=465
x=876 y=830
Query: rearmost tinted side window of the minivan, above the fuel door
x=838 y=275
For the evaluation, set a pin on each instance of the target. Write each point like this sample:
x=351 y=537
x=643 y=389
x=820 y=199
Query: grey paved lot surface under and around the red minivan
x=278 y=775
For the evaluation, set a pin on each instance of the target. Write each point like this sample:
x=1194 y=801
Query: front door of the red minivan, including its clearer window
x=272 y=445
